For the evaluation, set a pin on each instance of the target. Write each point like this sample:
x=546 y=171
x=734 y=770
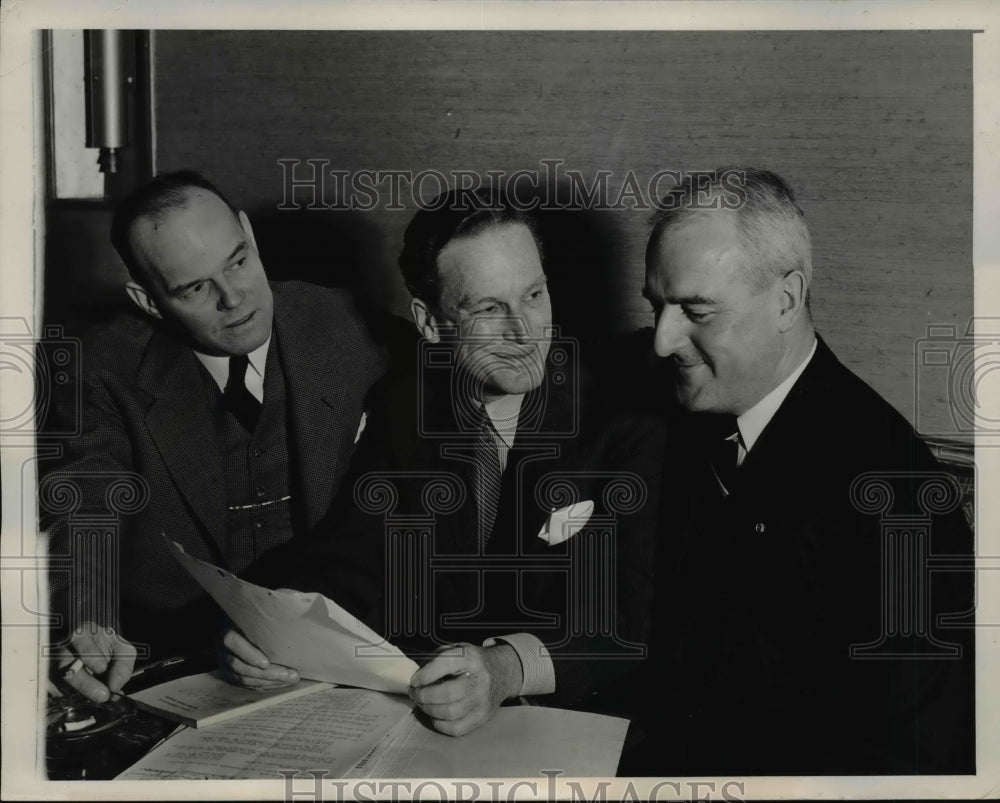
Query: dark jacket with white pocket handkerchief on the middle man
x=401 y=546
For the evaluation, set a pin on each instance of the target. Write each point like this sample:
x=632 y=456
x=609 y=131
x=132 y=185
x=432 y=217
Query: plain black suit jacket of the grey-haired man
x=764 y=594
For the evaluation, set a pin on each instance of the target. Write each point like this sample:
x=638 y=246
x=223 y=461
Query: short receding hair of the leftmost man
x=158 y=196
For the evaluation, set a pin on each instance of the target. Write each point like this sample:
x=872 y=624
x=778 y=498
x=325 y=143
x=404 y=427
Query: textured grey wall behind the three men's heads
x=874 y=129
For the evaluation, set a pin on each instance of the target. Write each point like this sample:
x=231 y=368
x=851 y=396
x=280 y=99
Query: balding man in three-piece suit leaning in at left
x=232 y=403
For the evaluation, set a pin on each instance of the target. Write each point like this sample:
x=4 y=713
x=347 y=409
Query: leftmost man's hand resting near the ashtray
x=97 y=663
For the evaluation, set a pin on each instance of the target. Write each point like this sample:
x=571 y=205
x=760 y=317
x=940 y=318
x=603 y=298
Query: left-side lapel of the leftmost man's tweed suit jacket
x=181 y=428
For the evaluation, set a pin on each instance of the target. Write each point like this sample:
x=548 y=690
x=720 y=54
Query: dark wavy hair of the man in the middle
x=451 y=215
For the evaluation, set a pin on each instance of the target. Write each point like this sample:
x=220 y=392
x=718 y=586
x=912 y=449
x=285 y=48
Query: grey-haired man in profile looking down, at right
x=784 y=643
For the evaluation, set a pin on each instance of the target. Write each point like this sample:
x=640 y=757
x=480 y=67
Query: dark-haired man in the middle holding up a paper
x=476 y=448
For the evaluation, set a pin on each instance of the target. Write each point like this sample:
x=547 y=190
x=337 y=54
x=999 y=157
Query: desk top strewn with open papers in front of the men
x=353 y=733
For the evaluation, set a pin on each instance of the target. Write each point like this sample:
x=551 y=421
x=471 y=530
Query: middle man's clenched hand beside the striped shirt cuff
x=461 y=687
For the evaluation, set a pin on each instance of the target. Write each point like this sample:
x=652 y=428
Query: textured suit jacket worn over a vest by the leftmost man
x=144 y=412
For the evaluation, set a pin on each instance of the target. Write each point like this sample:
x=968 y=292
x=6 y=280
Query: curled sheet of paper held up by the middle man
x=308 y=632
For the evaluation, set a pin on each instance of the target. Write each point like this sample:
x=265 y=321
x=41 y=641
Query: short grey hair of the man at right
x=774 y=235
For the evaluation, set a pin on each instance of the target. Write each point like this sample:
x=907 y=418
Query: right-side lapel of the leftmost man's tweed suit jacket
x=316 y=380
